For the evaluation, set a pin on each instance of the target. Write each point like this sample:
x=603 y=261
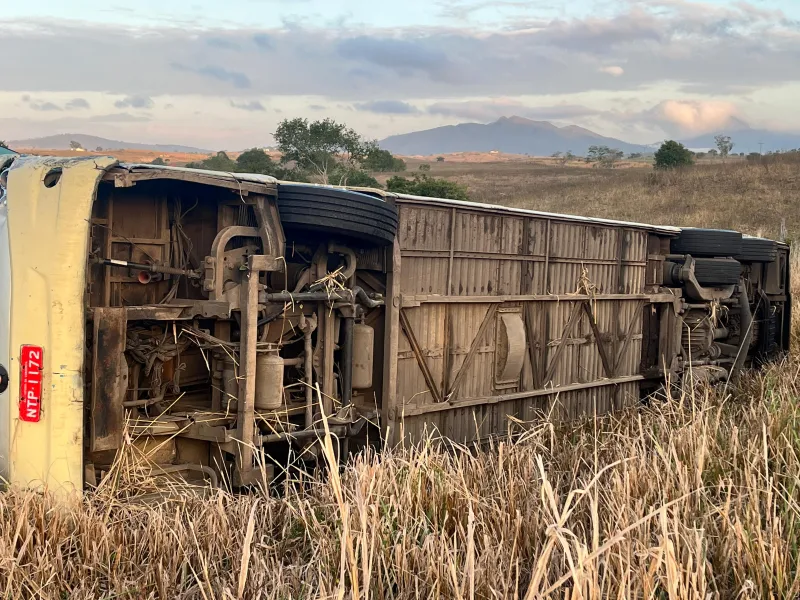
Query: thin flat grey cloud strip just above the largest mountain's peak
x=491 y=110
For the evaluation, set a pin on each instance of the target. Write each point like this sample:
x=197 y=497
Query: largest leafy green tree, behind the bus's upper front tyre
x=323 y=148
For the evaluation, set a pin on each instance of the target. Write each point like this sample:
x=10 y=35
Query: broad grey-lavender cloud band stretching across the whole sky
x=699 y=46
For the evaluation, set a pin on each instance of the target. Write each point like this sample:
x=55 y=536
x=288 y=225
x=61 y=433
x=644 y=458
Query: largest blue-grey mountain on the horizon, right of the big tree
x=513 y=135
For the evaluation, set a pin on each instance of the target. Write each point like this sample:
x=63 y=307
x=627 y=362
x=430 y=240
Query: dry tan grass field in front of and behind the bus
x=695 y=498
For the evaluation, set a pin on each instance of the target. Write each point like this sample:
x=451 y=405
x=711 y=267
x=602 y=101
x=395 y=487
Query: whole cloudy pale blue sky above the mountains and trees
x=222 y=75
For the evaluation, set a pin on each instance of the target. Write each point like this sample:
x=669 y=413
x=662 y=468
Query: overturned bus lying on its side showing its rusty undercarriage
x=213 y=319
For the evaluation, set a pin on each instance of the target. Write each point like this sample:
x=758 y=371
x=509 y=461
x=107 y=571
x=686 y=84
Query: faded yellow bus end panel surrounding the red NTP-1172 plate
x=48 y=237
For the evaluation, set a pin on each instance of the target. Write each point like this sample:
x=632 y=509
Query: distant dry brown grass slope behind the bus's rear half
x=749 y=197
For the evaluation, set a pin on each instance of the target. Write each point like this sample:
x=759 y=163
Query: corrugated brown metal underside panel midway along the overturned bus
x=492 y=254
